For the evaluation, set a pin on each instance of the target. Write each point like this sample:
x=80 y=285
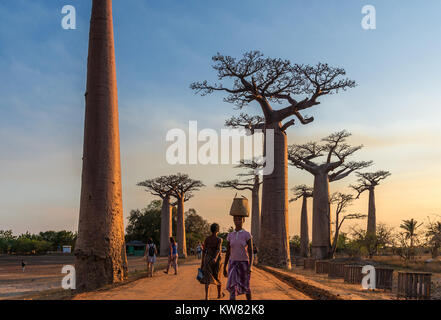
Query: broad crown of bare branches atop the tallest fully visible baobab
x=268 y=80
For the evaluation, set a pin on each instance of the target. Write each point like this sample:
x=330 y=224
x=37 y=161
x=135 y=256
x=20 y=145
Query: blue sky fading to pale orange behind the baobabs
x=163 y=46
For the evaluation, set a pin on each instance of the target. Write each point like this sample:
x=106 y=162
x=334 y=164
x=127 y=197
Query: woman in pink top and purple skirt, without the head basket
x=239 y=258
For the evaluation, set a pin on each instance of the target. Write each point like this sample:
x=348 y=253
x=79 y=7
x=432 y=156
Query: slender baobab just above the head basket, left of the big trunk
x=251 y=182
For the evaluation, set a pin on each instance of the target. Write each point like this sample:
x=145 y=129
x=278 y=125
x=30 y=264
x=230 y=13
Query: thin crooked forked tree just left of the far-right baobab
x=342 y=201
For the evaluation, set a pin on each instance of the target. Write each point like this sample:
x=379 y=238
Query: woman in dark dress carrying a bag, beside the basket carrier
x=211 y=263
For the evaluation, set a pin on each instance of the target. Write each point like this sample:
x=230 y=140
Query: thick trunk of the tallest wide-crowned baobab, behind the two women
x=274 y=244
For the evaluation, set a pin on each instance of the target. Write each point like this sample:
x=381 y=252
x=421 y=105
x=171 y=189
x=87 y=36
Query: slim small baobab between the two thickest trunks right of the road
x=304 y=192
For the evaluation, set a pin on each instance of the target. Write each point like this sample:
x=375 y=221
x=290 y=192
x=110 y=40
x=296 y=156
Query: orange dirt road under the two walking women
x=184 y=286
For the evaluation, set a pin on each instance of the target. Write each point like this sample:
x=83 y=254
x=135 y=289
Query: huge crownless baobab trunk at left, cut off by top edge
x=100 y=249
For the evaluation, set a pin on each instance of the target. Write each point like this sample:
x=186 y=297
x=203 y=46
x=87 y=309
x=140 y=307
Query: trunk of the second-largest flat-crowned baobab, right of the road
x=321 y=236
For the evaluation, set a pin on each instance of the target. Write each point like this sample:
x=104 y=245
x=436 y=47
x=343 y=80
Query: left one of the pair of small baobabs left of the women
x=162 y=187
